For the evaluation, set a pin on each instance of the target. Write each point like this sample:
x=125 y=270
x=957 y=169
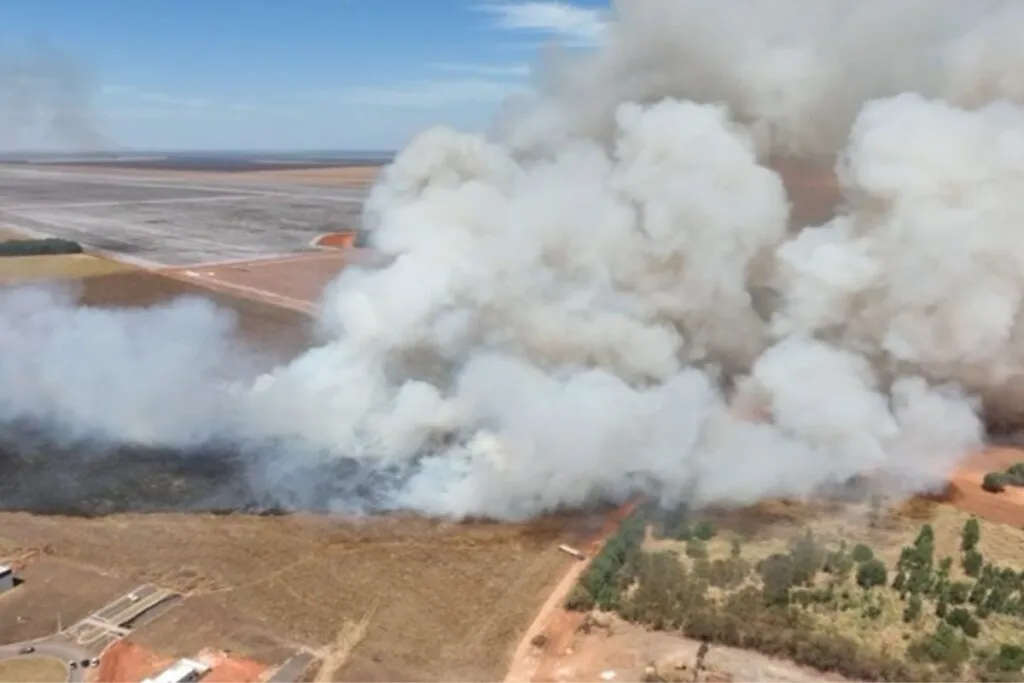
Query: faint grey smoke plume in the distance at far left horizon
x=46 y=99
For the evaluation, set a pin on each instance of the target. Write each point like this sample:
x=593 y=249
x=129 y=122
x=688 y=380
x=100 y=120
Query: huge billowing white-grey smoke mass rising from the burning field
x=607 y=297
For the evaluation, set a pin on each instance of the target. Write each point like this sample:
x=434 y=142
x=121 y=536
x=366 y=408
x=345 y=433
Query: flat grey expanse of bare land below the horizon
x=154 y=220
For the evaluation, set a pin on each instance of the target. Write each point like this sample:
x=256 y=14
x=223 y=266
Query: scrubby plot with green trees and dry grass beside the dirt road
x=823 y=603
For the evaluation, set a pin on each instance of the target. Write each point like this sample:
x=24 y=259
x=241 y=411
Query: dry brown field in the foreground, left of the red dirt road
x=442 y=602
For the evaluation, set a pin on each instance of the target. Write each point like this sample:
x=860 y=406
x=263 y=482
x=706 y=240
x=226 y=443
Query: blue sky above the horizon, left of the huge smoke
x=295 y=74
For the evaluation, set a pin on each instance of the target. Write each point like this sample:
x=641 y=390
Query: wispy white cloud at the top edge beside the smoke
x=563 y=20
